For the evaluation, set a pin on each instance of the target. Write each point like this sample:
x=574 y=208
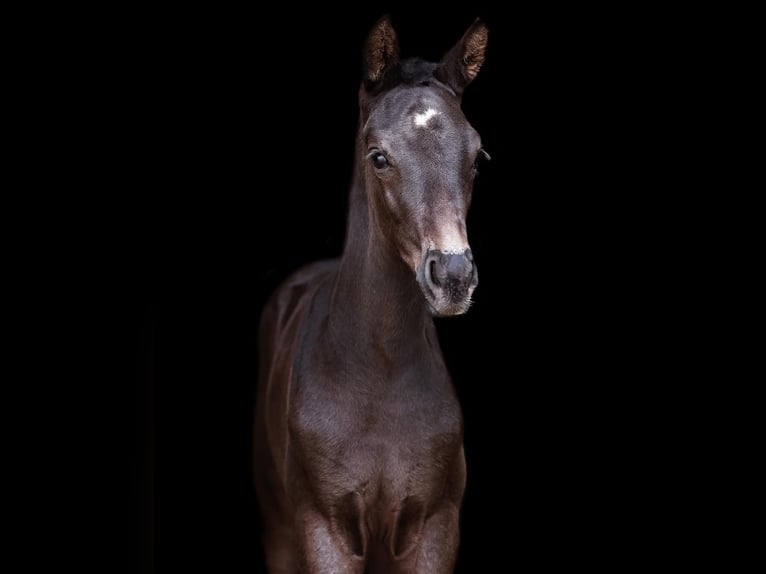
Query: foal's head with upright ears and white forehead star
x=421 y=156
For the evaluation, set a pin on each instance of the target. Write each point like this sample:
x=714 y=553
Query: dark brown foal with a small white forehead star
x=359 y=461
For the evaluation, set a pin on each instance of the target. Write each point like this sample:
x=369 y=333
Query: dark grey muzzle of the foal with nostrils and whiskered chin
x=447 y=281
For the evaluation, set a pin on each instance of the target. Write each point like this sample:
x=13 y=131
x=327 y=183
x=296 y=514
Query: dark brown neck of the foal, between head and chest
x=376 y=303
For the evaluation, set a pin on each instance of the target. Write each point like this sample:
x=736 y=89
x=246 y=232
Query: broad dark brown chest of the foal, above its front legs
x=355 y=441
